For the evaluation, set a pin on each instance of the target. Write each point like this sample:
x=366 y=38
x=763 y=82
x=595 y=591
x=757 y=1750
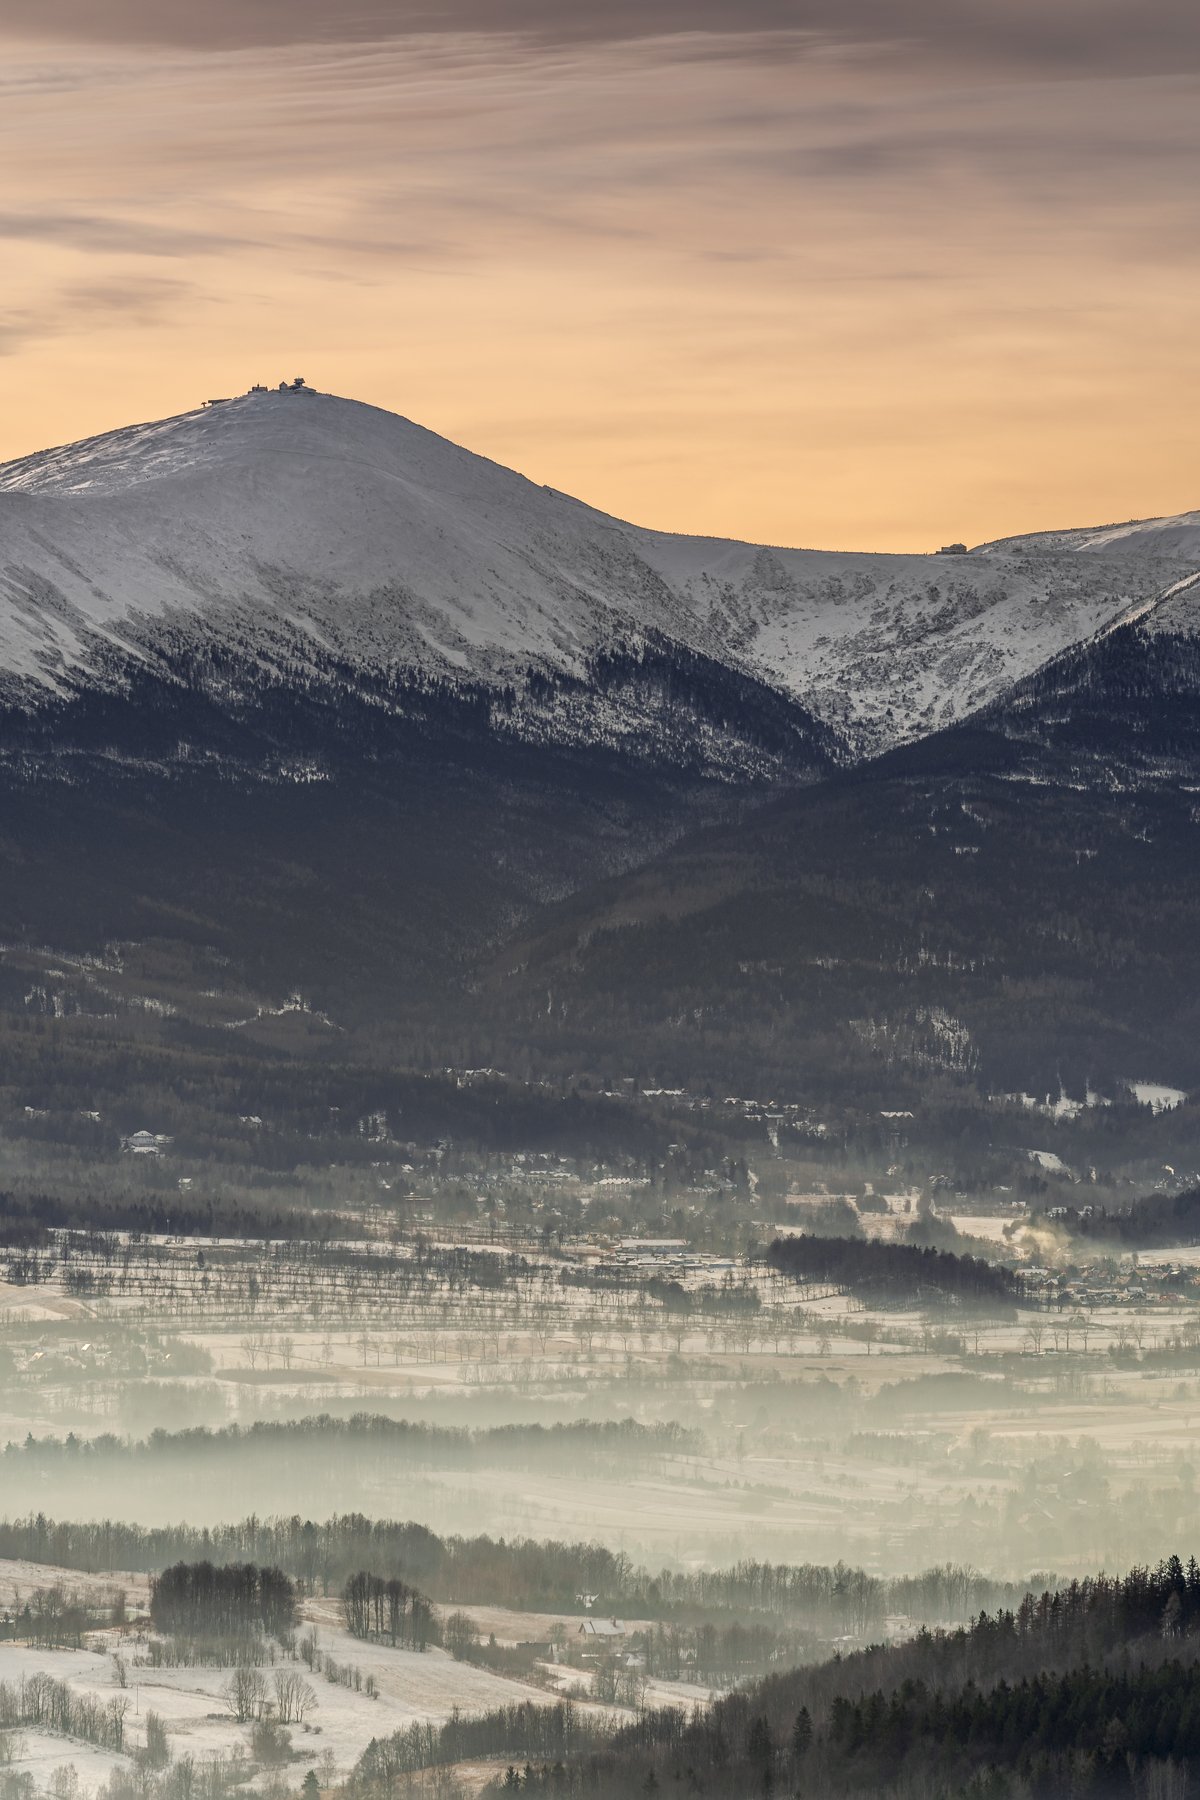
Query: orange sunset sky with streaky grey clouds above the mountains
x=832 y=273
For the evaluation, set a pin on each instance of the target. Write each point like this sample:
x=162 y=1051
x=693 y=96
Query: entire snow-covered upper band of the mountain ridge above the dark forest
x=291 y=519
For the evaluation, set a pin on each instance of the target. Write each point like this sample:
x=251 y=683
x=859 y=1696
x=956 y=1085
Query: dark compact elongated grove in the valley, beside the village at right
x=900 y=1272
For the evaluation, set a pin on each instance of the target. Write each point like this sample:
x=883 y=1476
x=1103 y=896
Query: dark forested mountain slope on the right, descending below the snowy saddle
x=1012 y=903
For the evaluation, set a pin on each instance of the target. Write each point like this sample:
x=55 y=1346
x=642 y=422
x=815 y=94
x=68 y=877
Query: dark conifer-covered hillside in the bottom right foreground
x=1097 y=1680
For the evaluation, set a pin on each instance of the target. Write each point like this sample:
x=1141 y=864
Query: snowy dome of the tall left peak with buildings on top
x=300 y=512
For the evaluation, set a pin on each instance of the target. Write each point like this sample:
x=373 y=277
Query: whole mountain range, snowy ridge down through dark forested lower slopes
x=323 y=703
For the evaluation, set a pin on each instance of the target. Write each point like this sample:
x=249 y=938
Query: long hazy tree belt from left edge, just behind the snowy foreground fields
x=532 y=1574
